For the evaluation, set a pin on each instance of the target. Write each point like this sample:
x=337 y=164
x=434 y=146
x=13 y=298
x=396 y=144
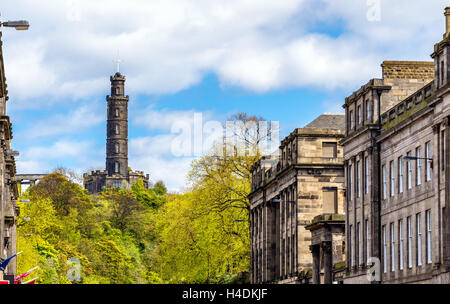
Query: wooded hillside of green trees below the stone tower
x=111 y=234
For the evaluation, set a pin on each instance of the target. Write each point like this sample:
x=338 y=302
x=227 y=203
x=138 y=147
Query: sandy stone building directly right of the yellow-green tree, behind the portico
x=288 y=190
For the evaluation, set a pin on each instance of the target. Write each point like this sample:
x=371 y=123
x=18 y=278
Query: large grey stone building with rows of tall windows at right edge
x=397 y=165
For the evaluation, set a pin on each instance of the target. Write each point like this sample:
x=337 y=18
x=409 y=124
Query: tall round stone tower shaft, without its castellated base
x=117 y=128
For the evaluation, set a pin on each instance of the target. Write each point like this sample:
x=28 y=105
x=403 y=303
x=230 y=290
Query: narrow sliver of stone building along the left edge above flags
x=8 y=188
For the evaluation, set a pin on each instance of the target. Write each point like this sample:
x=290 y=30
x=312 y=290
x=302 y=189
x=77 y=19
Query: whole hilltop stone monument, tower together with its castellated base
x=117 y=171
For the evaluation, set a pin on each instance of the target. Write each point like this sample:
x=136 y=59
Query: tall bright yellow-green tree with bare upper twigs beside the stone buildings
x=204 y=233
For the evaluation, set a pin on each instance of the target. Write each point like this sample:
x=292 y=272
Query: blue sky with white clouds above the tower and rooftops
x=286 y=61
